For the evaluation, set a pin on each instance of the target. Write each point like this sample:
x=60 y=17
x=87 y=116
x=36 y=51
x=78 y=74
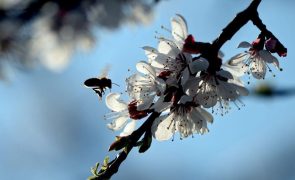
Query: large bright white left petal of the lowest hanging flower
x=162 y=128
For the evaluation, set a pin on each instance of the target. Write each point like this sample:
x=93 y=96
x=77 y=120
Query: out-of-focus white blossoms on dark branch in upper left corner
x=51 y=31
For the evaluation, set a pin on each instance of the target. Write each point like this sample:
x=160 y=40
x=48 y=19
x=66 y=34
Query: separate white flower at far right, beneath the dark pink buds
x=253 y=61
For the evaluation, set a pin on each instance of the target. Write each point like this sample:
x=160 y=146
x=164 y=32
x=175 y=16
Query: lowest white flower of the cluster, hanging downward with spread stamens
x=183 y=118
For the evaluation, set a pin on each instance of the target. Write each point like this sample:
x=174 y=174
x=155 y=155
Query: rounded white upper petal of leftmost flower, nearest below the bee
x=114 y=103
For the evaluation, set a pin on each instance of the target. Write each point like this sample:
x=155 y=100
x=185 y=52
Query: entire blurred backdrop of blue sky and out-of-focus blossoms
x=51 y=127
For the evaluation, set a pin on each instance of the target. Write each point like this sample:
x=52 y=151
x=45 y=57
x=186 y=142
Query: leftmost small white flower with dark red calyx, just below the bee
x=121 y=113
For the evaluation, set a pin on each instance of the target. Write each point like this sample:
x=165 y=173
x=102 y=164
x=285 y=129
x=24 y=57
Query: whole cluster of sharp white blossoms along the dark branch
x=180 y=82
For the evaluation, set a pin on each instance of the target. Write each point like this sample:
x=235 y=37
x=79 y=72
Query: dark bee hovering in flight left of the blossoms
x=99 y=84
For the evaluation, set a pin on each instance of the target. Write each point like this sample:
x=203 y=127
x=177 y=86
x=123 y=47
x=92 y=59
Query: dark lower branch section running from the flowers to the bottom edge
x=113 y=166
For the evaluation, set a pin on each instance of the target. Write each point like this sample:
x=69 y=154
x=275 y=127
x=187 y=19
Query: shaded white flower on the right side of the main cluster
x=220 y=88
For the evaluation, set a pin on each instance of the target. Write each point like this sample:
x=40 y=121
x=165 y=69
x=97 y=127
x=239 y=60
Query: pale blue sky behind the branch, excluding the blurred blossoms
x=53 y=128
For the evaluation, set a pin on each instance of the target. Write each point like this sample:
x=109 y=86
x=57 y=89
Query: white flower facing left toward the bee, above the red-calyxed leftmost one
x=146 y=86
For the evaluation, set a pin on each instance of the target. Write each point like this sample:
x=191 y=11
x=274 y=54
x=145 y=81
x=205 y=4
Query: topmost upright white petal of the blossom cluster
x=179 y=28
